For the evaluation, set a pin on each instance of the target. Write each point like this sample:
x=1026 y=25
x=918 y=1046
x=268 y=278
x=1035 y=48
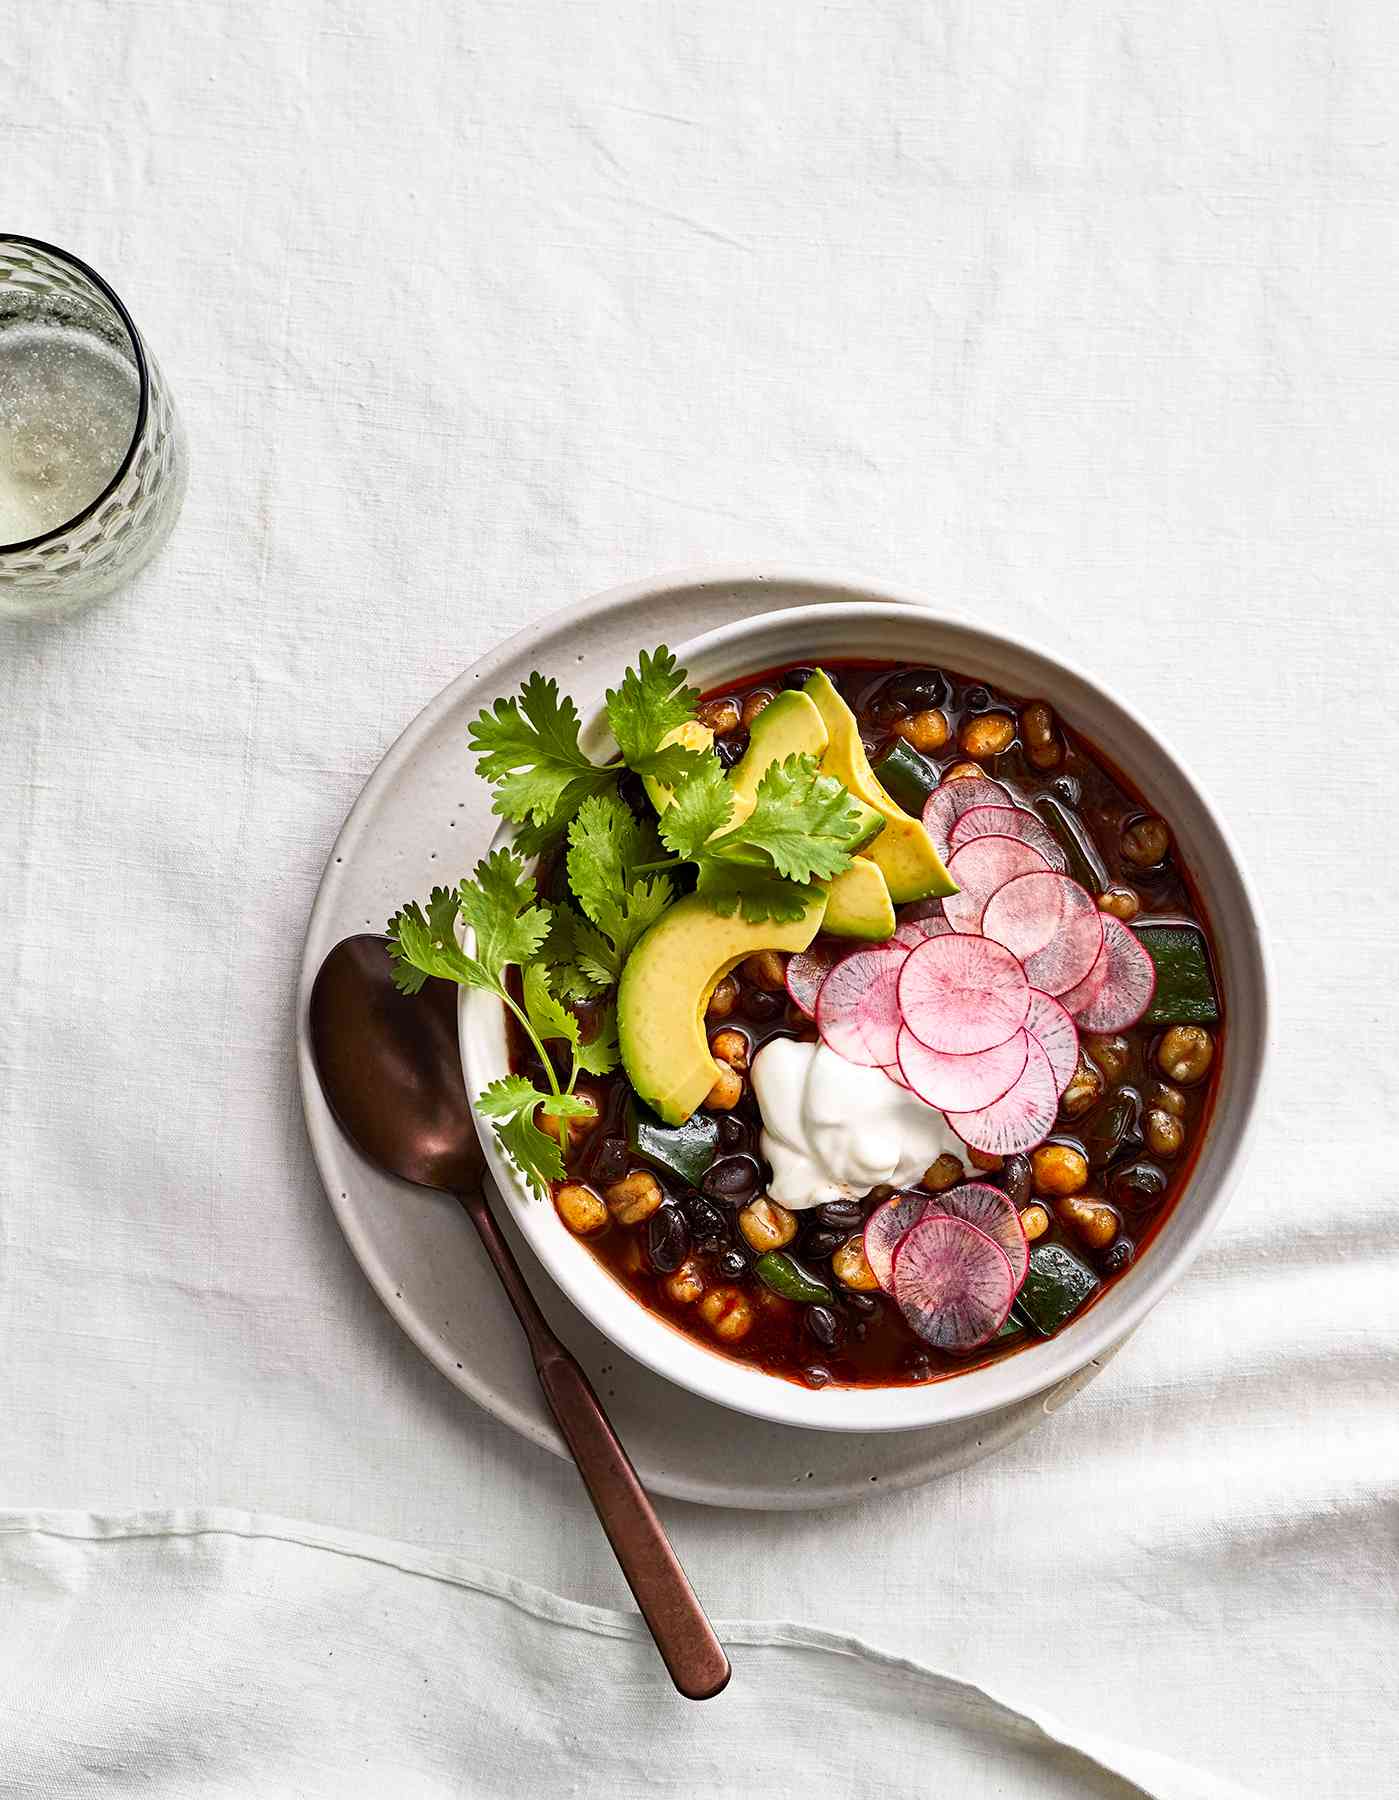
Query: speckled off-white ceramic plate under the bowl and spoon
x=424 y=818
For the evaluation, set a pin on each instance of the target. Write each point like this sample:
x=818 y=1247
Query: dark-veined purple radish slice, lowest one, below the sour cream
x=953 y=1284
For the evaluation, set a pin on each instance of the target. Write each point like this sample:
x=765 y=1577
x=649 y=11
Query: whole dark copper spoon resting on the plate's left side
x=390 y=1070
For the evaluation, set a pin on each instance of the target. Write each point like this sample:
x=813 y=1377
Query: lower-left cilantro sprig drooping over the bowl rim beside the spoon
x=510 y=930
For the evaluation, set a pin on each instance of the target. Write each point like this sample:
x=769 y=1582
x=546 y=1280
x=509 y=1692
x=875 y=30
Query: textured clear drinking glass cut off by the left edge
x=93 y=454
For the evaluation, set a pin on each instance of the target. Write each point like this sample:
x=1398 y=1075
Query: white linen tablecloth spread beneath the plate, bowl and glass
x=1083 y=316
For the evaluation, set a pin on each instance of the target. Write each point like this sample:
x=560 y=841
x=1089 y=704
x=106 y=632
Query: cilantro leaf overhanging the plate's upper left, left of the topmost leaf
x=528 y=750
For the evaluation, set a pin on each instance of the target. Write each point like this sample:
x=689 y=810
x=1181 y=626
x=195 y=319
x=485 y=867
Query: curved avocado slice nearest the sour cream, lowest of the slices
x=665 y=991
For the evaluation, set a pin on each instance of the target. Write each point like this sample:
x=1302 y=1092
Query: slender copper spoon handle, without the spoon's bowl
x=683 y=1635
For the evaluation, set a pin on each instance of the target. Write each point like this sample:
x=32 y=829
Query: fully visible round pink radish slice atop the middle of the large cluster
x=961 y=994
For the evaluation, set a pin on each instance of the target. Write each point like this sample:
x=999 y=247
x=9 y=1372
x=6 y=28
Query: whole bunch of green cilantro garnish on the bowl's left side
x=622 y=876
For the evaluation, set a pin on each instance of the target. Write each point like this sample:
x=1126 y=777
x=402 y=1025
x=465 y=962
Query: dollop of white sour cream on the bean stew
x=833 y=1131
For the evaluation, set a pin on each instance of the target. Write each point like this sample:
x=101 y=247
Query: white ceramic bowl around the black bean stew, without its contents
x=896 y=627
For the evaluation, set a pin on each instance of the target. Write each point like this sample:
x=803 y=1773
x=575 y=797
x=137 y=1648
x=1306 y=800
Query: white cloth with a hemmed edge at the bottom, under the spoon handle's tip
x=230 y=1655
